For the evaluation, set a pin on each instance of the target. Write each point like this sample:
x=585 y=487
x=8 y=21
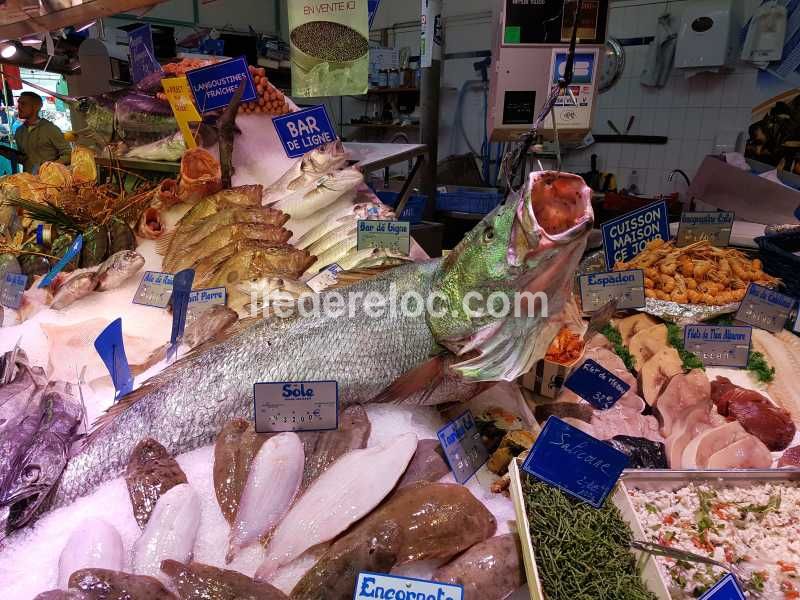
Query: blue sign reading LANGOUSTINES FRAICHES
x=213 y=86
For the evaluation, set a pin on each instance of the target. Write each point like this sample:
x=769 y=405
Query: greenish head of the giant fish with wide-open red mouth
x=494 y=292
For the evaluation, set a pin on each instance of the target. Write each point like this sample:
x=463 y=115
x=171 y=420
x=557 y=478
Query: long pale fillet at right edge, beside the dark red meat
x=786 y=361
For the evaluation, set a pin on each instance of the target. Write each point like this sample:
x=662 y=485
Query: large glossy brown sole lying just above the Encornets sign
x=424 y=521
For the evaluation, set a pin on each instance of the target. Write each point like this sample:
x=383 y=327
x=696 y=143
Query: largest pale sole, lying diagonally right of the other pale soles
x=350 y=488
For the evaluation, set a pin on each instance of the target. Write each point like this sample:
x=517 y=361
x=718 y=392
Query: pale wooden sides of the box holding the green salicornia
x=651 y=575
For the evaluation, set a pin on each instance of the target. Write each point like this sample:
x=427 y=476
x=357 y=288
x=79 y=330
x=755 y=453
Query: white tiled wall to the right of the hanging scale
x=694 y=113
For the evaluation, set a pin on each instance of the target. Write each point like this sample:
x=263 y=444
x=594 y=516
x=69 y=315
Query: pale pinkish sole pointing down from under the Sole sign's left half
x=272 y=484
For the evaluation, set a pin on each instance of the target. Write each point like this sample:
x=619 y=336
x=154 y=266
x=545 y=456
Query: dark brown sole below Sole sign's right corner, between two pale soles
x=352 y=434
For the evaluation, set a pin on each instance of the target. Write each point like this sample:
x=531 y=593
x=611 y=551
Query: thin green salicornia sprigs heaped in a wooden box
x=582 y=553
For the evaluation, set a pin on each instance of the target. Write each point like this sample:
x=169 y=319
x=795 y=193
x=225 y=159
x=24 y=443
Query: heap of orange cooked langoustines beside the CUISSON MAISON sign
x=697 y=274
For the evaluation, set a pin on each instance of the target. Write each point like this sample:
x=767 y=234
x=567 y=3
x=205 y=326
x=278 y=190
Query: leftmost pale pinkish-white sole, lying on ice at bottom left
x=95 y=544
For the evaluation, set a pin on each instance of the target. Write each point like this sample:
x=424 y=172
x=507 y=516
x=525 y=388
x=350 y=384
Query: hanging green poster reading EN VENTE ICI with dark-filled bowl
x=329 y=46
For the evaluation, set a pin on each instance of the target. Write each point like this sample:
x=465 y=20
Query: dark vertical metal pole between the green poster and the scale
x=431 y=64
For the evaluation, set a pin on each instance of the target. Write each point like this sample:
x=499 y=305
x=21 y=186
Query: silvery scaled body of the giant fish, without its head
x=197 y=397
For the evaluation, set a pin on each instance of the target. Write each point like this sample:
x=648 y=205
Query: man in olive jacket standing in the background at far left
x=38 y=139
